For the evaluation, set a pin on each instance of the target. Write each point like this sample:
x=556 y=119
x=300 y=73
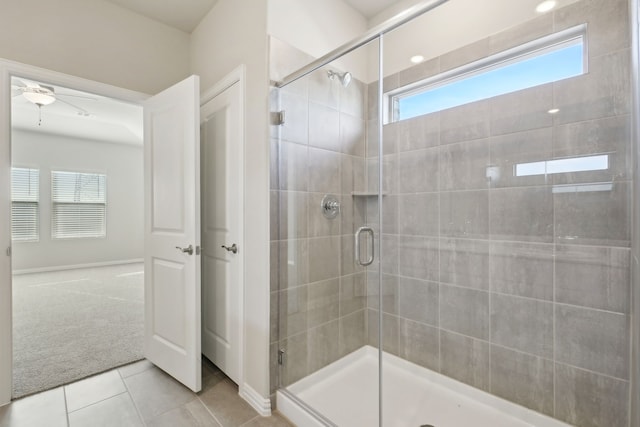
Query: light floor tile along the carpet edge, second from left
x=92 y=390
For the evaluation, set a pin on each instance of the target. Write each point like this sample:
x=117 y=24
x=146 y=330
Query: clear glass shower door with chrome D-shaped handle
x=325 y=193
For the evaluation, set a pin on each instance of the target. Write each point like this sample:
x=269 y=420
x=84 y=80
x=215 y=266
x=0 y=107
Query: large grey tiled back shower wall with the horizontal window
x=519 y=286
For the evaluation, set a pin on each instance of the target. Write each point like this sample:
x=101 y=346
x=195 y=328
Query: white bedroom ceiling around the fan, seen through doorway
x=108 y=120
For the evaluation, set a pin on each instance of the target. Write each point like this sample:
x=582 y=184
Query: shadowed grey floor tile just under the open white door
x=154 y=393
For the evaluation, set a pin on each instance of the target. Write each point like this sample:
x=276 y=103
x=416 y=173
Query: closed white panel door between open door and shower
x=222 y=189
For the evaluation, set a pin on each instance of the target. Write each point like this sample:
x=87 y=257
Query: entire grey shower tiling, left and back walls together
x=507 y=284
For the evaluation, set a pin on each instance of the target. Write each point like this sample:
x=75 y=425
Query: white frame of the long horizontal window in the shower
x=541 y=46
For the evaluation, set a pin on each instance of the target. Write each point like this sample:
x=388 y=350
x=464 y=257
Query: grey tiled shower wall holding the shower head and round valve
x=318 y=295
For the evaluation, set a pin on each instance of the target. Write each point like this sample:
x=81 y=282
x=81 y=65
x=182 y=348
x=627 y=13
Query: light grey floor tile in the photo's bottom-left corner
x=42 y=409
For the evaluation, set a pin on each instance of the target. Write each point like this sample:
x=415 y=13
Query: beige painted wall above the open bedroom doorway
x=96 y=40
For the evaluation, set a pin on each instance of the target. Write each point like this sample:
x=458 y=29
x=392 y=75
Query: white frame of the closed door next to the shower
x=239 y=76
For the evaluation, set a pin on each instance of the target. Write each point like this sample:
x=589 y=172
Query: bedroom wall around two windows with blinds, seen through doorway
x=123 y=166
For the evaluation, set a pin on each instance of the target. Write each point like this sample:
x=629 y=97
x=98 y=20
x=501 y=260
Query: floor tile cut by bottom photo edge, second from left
x=117 y=411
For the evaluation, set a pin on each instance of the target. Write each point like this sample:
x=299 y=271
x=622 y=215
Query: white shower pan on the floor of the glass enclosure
x=346 y=392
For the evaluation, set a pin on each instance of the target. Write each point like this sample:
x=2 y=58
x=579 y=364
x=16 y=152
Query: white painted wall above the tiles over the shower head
x=317 y=27
